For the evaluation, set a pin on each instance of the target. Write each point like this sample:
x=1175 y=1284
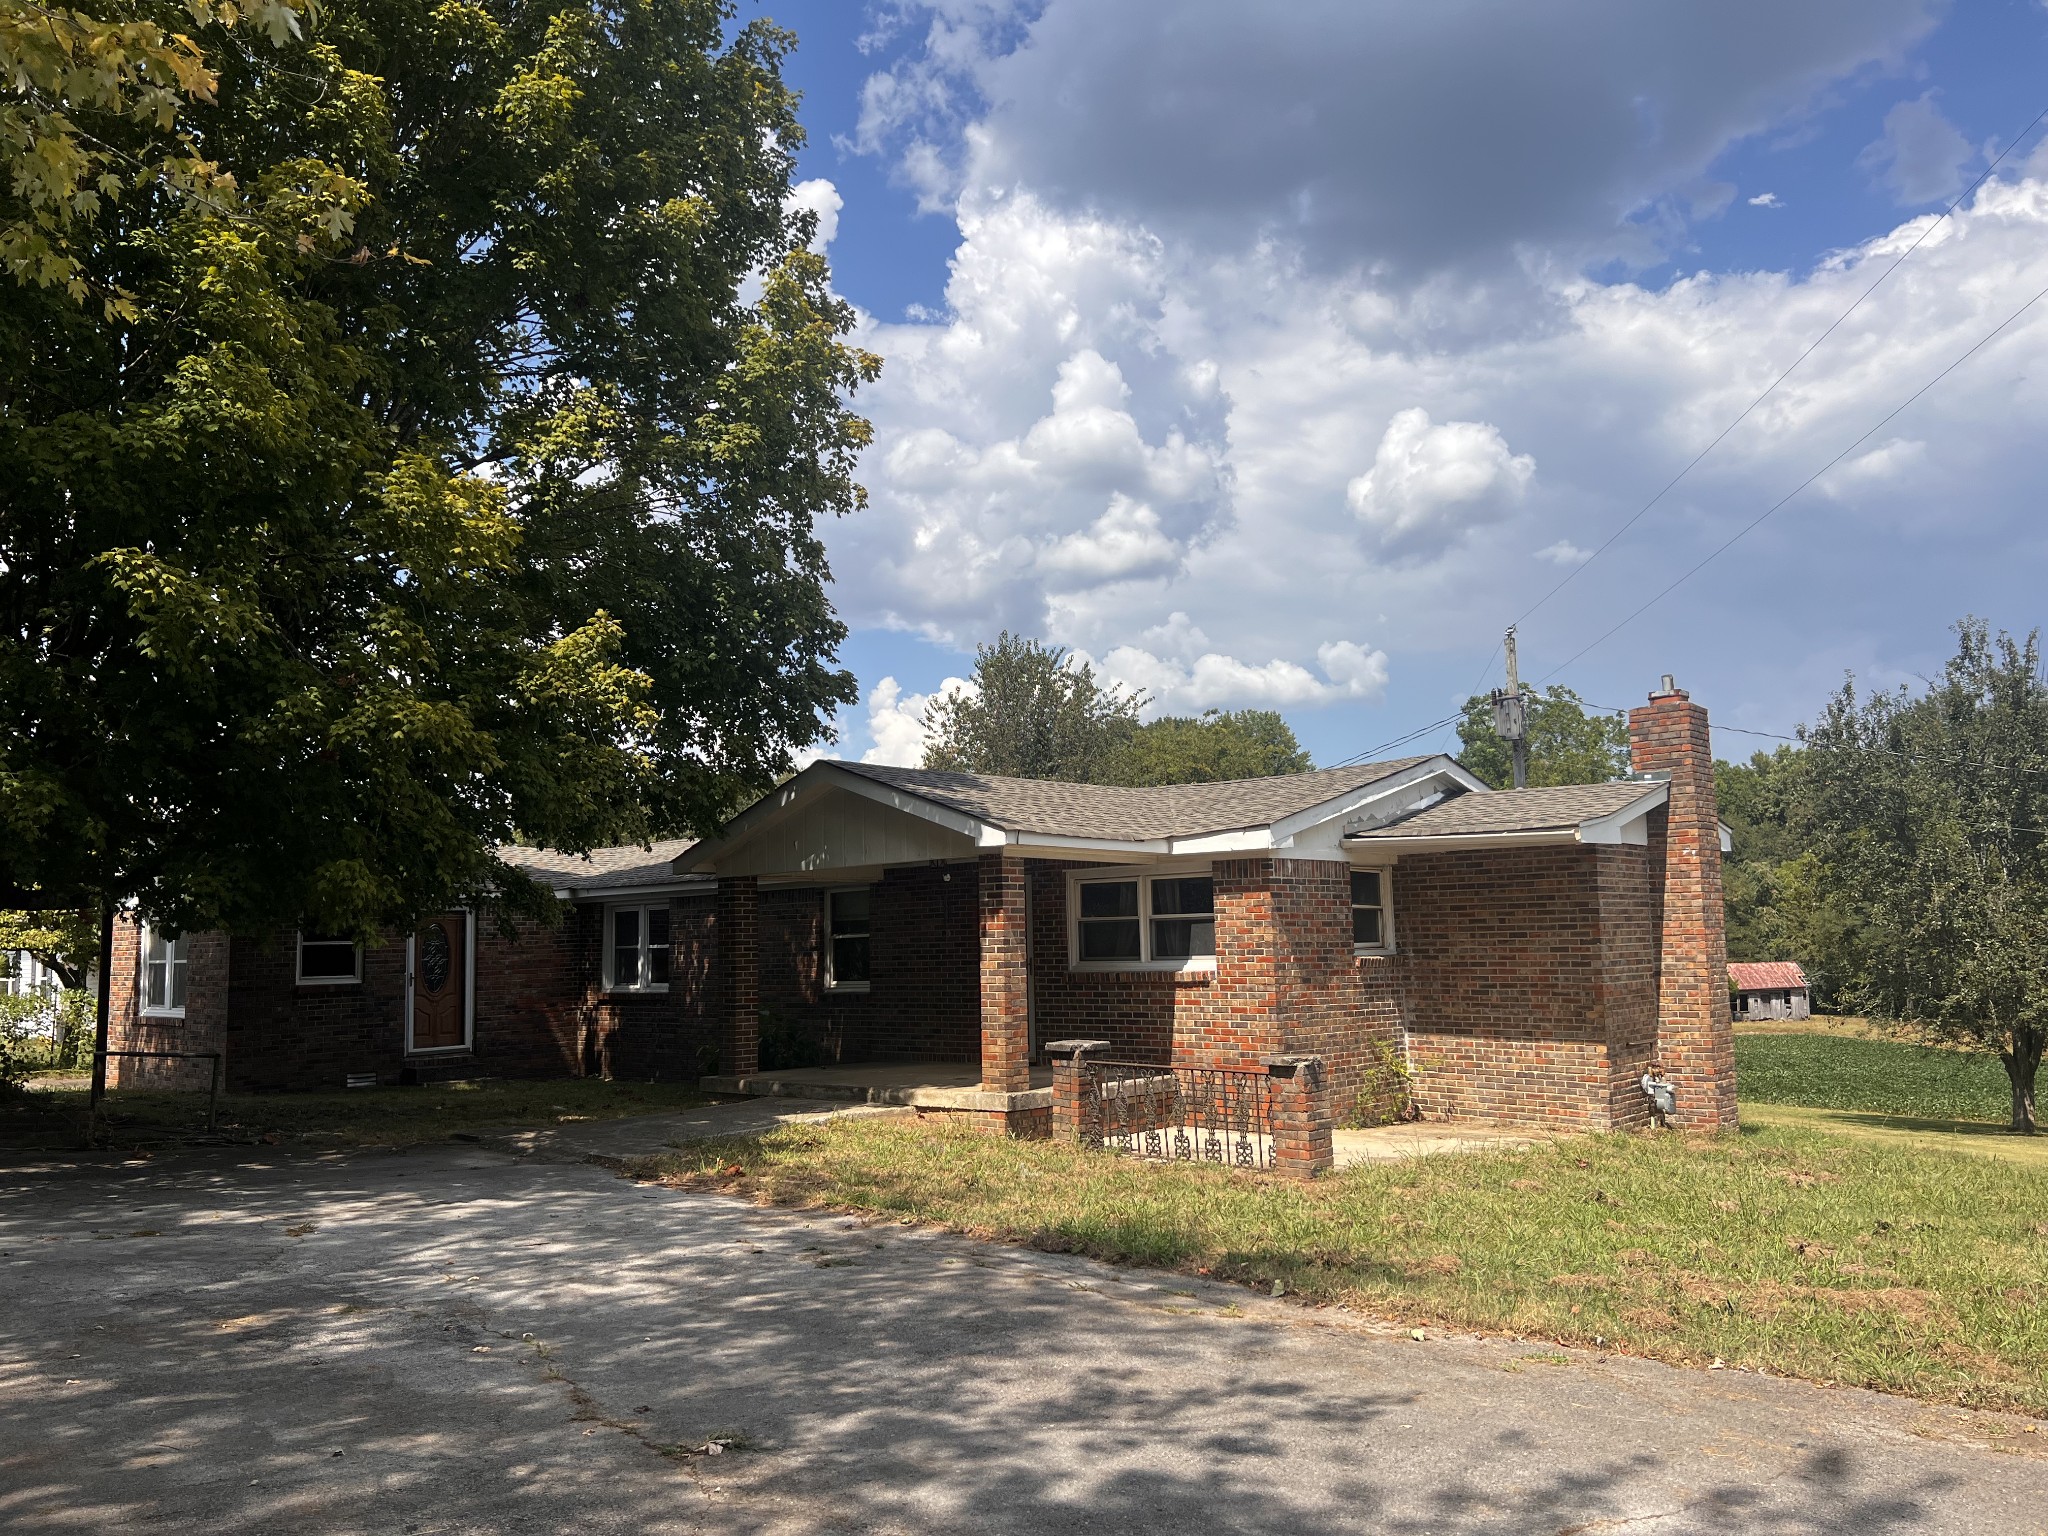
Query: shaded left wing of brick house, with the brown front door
x=458 y=996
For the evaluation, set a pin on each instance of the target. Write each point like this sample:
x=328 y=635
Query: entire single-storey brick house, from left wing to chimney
x=1529 y=951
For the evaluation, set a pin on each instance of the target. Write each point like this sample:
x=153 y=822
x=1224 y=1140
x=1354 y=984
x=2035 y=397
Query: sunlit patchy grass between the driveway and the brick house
x=1777 y=1250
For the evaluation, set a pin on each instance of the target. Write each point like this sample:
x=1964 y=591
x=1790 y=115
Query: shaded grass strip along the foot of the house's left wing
x=54 y=1113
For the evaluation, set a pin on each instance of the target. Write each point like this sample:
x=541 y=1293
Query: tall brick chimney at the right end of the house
x=1695 y=1035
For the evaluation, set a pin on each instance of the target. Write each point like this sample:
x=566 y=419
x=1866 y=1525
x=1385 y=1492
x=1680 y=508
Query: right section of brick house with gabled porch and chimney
x=1529 y=951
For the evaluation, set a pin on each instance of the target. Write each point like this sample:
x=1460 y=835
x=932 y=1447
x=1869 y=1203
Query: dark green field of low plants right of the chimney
x=1877 y=1076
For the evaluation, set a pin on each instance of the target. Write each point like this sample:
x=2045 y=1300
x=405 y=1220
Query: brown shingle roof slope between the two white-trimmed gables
x=1111 y=812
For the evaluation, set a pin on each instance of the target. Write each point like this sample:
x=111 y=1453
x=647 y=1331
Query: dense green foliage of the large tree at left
x=441 y=468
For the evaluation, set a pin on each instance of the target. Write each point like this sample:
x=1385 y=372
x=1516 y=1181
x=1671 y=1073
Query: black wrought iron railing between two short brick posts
x=1191 y=1115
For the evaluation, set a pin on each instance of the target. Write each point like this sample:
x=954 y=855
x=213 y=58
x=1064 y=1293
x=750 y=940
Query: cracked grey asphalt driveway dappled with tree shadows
x=464 y=1340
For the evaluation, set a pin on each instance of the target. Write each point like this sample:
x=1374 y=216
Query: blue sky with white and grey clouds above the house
x=1281 y=357
